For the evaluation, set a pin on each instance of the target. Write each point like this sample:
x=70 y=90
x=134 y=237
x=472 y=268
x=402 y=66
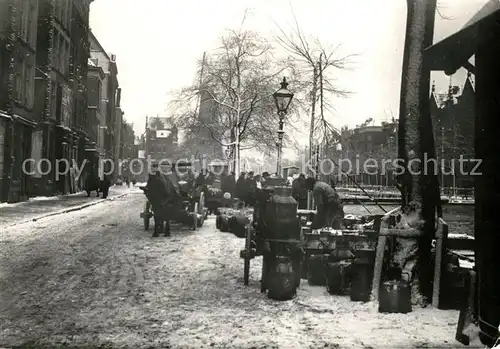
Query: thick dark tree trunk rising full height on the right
x=416 y=143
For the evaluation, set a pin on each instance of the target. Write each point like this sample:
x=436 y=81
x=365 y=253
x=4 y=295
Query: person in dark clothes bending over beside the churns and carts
x=330 y=211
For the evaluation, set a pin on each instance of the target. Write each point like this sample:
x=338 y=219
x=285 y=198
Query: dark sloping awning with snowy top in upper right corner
x=453 y=52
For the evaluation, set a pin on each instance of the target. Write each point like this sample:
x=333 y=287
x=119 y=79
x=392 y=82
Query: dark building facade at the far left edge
x=18 y=117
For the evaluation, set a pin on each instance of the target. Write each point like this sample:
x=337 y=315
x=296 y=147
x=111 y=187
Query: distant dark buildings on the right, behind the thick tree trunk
x=452 y=113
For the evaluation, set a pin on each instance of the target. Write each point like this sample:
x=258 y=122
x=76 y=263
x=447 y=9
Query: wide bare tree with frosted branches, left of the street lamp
x=240 y=78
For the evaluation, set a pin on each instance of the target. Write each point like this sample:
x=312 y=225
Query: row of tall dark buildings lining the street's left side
x=59 y=98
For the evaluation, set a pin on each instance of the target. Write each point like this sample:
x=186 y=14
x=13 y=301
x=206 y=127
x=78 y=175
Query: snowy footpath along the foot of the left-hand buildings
x=41 y=207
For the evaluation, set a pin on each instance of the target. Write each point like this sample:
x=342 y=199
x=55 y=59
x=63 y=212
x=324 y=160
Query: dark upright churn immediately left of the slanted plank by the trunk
x=362 y=275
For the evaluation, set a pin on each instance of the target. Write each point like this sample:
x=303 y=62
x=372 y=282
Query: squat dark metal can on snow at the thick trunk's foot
x=395 y=297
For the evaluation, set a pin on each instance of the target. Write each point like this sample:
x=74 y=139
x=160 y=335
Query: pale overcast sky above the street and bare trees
x=158 y=43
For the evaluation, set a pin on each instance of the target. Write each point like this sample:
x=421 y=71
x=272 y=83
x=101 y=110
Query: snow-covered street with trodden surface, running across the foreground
x=95 y=277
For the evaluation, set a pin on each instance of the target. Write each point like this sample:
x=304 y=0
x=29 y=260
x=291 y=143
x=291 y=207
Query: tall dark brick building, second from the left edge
x=61 y=95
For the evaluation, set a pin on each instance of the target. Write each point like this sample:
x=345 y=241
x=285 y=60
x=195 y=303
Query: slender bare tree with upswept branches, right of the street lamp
x=316 y=62
